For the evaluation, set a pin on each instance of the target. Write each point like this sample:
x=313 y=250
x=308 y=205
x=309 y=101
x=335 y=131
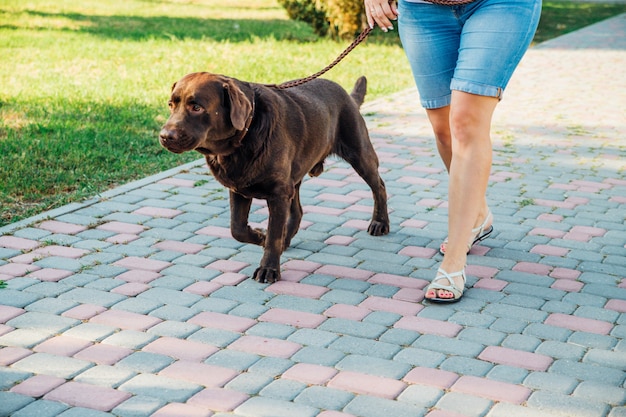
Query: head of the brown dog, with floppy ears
x=209 y=113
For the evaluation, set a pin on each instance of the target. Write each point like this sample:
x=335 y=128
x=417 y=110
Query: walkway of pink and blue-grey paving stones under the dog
x=138 y=303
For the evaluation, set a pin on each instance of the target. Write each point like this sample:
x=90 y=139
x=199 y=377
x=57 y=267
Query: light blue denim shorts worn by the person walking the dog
x=472 y=48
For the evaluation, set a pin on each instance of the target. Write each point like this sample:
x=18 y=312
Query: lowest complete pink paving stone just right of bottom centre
x=367 y=384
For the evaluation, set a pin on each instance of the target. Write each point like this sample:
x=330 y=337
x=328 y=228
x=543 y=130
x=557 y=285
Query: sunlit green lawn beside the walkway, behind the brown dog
x=85 y=83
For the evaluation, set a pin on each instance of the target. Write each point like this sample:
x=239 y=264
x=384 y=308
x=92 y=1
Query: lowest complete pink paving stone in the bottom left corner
x=88 y=396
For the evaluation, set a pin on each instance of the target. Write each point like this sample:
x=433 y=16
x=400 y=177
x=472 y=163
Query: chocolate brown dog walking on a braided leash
x=260 y=142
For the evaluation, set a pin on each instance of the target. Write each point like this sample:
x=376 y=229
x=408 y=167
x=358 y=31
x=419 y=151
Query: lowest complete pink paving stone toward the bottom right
x=494 y=390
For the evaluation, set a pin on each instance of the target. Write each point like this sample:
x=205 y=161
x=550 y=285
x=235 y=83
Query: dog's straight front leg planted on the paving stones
x=269 y=268
